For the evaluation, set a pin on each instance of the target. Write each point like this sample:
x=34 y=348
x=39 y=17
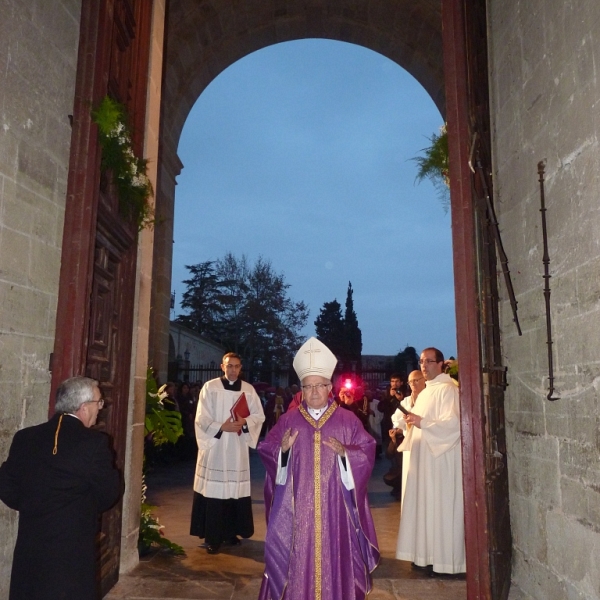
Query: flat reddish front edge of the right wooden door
x=466 y=300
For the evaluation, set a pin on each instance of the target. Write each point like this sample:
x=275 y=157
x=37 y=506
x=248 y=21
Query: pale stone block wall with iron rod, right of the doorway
x=544 y=60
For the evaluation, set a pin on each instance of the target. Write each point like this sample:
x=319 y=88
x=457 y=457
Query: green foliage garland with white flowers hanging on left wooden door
x=128 y=171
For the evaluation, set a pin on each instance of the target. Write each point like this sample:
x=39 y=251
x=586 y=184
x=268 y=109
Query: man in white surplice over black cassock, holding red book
x=222 y=508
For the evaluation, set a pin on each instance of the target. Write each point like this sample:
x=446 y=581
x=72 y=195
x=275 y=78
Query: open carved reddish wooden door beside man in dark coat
x=97 y=282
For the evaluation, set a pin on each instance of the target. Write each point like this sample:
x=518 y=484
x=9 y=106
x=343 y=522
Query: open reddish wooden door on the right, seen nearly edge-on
x=476 y=245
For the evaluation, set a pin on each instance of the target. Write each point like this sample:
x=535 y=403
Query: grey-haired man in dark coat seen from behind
x=60 y=476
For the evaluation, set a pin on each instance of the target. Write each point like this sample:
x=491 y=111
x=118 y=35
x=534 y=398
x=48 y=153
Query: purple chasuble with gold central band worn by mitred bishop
x=320 y=541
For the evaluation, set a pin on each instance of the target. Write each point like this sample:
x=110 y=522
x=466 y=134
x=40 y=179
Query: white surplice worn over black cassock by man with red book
x=223 y=465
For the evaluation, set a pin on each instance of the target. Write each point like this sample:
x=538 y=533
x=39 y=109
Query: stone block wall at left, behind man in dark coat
x=38 y=54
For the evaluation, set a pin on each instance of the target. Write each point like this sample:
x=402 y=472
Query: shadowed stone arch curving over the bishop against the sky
x=204 y=38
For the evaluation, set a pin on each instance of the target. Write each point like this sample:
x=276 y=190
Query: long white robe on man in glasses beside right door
x=432 y=520
